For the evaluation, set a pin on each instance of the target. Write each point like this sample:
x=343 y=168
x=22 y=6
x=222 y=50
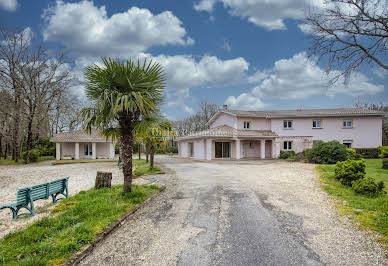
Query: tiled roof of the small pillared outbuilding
x=79 y=136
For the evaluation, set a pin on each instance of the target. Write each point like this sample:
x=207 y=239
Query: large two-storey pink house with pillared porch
x=241 y=134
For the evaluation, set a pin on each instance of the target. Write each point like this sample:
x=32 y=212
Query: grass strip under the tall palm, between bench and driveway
x=52 y=240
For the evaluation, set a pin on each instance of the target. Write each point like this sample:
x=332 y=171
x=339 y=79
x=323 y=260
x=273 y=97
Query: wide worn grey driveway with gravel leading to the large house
x=238 y=213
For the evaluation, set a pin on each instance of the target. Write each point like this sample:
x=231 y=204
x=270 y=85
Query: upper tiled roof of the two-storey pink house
x=305 y=112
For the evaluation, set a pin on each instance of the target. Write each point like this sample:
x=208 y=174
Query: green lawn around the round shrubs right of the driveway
x=371 y=213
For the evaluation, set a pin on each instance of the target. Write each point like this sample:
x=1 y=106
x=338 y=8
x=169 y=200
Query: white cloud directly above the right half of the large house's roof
x=299 y=78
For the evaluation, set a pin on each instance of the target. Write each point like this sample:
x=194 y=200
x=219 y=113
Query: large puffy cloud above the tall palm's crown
x=86 y=29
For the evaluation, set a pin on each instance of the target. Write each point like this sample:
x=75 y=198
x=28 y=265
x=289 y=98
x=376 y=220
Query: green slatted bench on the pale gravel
x=25 y=197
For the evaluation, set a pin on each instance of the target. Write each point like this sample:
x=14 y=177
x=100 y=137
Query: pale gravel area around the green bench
x=13 y=177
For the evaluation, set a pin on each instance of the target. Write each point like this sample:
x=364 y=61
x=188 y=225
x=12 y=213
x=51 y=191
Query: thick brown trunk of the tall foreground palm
x=126 y=145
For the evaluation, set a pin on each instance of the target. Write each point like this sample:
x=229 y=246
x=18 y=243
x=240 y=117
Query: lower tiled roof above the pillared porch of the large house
x=226 y=131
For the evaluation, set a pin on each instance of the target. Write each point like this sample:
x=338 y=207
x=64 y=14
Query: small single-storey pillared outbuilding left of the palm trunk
x=78 y=145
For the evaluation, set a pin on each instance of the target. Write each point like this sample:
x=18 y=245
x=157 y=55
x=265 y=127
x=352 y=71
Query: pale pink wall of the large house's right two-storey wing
x=366 y=131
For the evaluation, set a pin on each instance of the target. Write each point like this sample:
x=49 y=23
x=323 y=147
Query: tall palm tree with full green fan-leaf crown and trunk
x=121 y=93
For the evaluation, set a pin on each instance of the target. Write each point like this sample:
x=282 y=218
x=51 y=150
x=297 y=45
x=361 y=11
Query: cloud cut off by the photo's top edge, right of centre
x=267 y=14
